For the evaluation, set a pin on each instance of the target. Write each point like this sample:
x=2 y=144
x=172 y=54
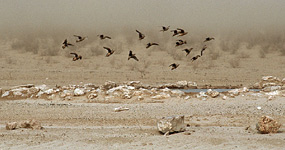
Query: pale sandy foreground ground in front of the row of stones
x=211 y=124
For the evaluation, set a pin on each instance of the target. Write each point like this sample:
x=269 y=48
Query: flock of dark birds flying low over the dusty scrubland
x=176 y=32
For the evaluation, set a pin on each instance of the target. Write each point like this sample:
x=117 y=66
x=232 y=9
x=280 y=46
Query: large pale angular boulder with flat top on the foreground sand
x=172 y=124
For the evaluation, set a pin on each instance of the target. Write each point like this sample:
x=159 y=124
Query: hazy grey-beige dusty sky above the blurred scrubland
x=114 y=15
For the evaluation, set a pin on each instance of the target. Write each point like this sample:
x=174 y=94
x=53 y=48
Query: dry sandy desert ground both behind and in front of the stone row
x=78 y=124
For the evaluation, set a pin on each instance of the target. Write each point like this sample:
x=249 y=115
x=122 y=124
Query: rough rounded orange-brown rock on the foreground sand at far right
x=267 y=125
